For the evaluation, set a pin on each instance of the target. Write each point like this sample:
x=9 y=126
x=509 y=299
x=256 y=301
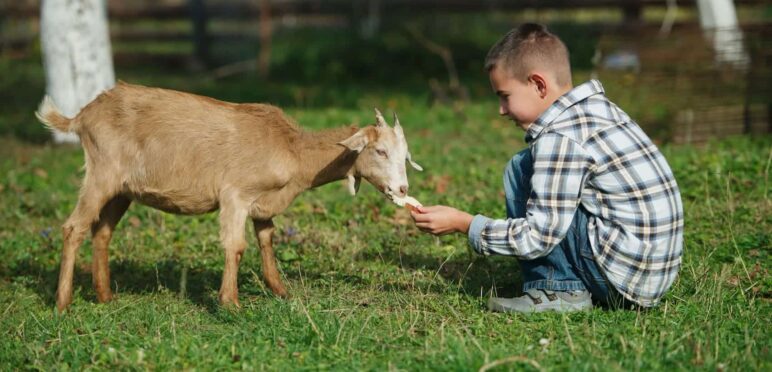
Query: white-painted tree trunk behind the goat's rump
x=77 y=56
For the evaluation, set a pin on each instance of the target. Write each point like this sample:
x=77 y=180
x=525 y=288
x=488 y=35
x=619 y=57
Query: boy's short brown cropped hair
x=528 y=47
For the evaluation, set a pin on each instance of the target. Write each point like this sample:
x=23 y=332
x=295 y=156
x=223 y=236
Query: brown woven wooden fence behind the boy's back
x=707 y=99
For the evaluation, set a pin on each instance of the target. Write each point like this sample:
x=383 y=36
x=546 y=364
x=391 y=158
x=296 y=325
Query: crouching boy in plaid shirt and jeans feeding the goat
x=593 y=210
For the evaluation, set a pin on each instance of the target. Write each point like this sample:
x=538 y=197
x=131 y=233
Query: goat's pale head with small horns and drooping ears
x=382 y=156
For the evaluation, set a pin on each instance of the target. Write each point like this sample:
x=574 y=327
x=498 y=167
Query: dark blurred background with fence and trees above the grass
x=687 y=71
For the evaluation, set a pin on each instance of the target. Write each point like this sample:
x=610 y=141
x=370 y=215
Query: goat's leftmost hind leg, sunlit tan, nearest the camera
x=90 y=202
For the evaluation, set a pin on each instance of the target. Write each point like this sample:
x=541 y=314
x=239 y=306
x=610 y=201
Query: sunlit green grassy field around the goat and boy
x=369 y=291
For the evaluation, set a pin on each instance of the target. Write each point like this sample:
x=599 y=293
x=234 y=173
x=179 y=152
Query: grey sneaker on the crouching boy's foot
x=538 y=300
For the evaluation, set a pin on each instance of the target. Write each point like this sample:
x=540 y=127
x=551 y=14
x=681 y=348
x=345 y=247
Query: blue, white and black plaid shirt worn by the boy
x=587 y=151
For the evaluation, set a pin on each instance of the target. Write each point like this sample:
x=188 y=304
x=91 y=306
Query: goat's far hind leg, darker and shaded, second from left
x=102 y=232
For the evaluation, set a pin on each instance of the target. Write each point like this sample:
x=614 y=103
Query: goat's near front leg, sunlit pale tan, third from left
x=232 y=223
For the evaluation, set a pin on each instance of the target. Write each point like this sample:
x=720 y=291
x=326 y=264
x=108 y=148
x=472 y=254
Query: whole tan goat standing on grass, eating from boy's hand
x=188 y=154
